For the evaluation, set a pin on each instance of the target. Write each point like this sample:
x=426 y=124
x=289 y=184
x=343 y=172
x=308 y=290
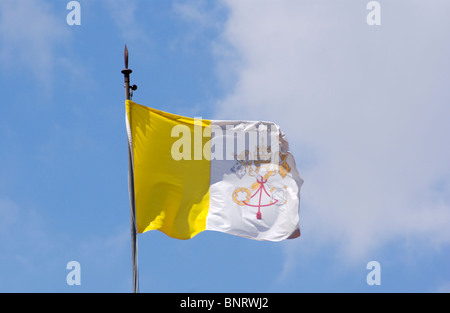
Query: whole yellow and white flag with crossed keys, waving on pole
x=193 y=175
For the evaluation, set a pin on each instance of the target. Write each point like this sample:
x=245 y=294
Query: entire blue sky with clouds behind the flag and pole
x=365 y=109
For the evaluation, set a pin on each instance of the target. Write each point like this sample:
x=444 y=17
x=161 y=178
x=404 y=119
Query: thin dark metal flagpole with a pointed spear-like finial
x=134 y=253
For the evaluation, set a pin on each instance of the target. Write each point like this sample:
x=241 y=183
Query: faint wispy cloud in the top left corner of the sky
x=29 y=33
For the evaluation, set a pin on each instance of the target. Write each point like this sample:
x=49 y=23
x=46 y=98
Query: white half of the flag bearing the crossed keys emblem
x=252 y=199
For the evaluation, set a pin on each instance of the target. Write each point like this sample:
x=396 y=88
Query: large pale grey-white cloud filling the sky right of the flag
x=365 y=110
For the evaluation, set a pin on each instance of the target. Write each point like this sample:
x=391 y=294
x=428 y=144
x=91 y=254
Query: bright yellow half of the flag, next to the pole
x=171 y=195
